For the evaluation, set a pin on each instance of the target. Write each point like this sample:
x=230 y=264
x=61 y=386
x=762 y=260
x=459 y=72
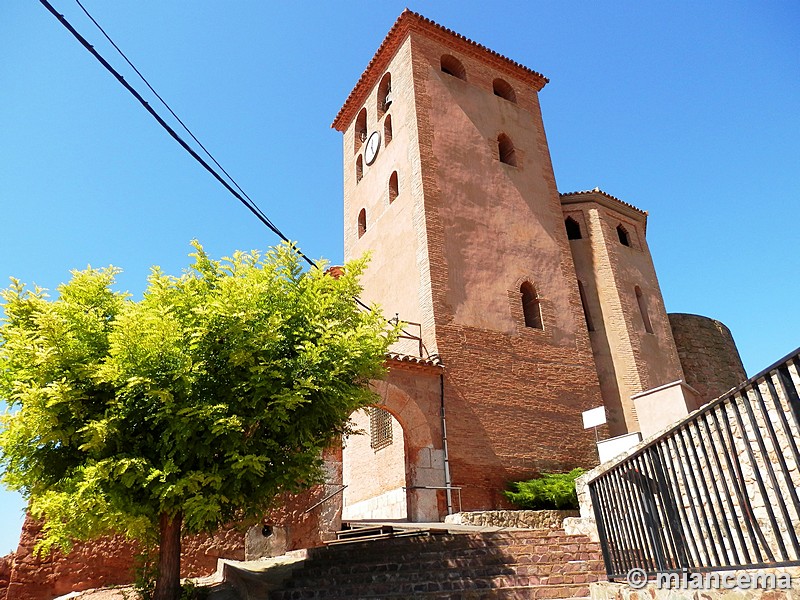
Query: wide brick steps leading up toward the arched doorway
x=437 y=564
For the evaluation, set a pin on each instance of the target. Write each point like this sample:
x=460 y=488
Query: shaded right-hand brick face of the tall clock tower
x=513 y=394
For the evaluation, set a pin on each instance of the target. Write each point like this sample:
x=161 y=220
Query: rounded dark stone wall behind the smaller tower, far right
x=708 y=354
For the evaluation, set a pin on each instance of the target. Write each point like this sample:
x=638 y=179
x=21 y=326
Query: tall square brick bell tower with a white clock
x=448 y=184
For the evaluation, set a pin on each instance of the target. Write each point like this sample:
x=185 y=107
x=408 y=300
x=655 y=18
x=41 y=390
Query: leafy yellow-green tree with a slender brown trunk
x=194 y=407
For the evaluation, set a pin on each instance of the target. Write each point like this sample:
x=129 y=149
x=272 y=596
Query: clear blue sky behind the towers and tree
x=689 y=110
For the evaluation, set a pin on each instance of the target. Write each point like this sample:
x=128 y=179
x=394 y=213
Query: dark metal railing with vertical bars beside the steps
x=717 y=491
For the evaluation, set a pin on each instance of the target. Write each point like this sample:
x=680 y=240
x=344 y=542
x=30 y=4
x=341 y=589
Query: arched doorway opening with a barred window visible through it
x=374 y=468
